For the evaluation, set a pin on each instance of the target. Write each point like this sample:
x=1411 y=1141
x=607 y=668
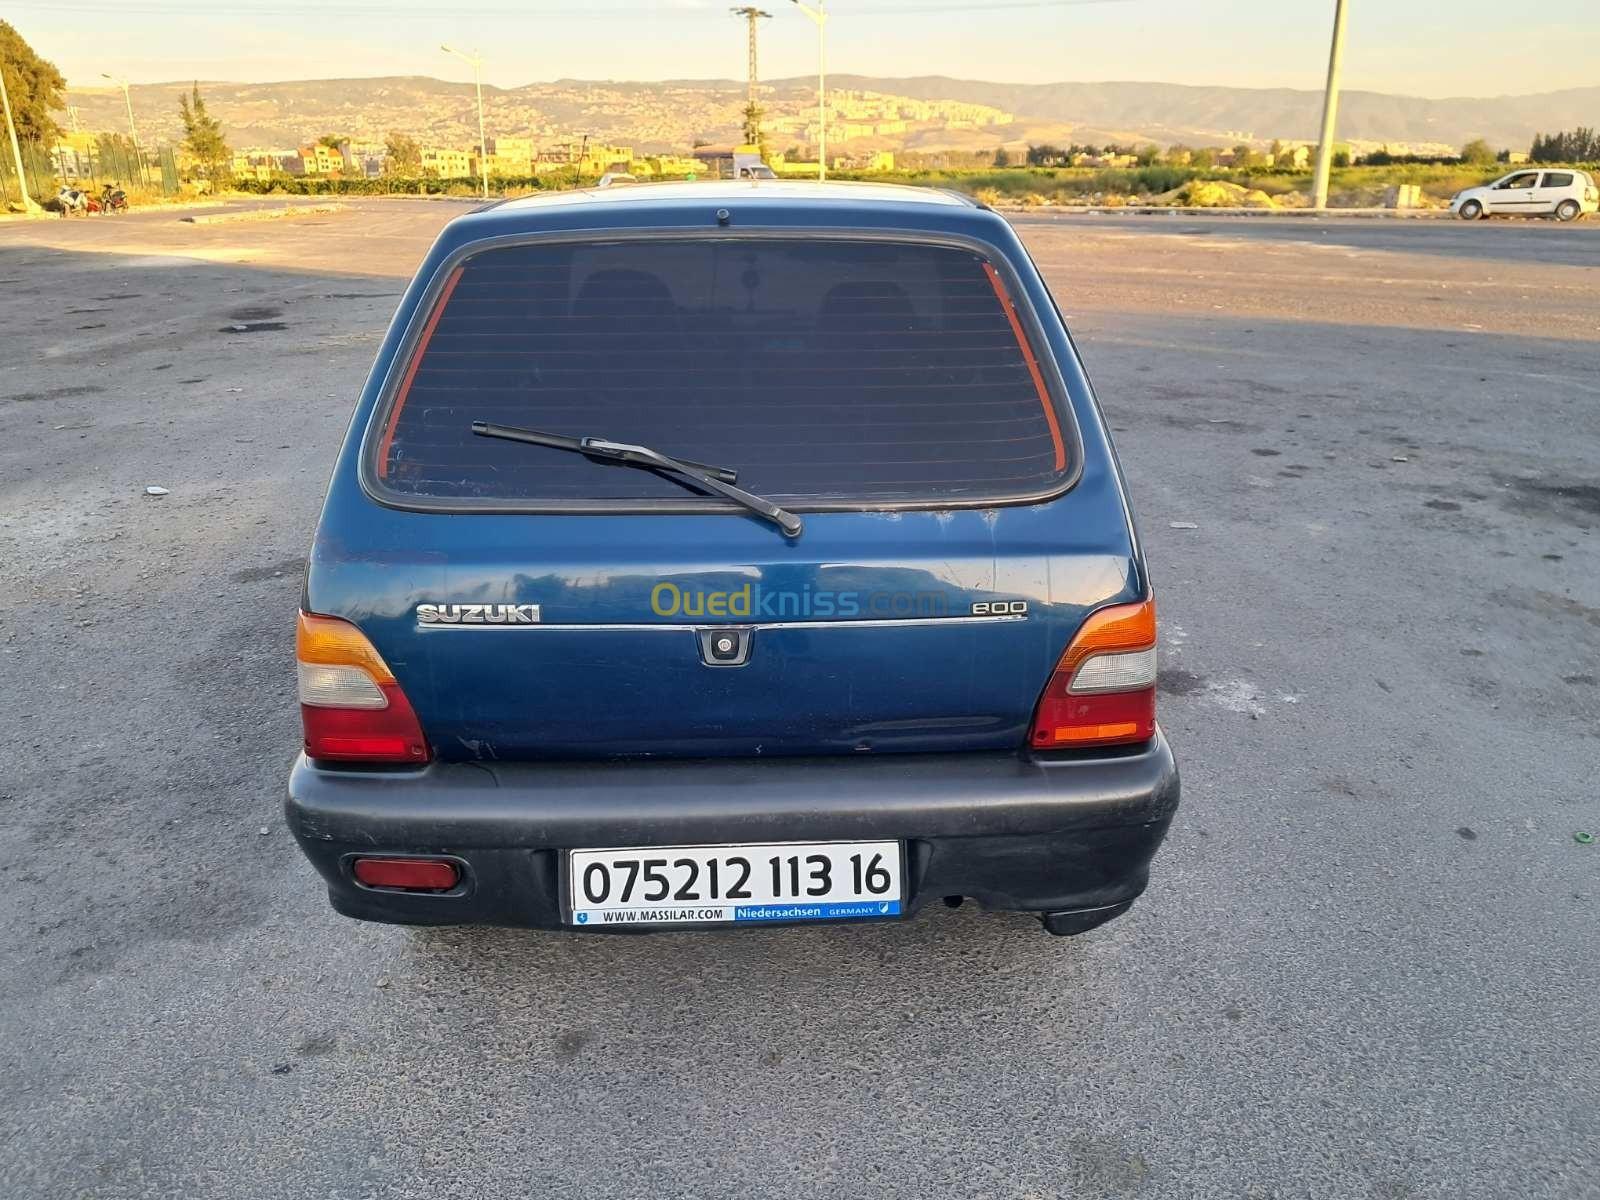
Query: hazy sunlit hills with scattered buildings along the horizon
x=671 y=116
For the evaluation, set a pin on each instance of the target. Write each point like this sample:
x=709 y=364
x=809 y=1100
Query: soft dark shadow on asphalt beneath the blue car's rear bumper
x=783 y=993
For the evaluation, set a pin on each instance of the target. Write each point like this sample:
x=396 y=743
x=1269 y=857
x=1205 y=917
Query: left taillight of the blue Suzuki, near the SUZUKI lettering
x=351 y=706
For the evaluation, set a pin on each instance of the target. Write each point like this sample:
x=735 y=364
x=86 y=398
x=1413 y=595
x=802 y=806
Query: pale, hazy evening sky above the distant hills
x=1410 y=47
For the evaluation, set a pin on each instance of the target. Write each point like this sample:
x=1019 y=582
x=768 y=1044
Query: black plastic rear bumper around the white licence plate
x=1070 y=839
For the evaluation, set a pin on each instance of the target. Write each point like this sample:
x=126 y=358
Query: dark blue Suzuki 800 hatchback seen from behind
x=716 y=554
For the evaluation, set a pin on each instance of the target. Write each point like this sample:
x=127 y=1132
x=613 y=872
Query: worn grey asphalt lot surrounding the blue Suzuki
x=1366 y=966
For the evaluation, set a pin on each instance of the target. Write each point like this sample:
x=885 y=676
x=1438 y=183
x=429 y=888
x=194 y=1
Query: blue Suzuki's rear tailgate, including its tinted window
x=540 y=604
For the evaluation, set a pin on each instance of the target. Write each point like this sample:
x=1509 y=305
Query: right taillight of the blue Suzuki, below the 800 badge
x=1103 y=690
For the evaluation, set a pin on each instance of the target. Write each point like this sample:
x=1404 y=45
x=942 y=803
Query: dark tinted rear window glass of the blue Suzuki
x=820 y=370
